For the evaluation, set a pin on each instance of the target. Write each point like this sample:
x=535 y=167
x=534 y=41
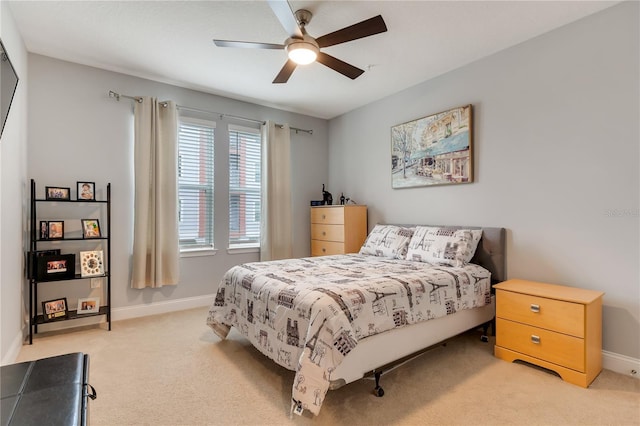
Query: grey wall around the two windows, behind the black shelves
x=78 y=133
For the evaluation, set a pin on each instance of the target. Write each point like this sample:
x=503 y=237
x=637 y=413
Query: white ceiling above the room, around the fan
x=171 y=42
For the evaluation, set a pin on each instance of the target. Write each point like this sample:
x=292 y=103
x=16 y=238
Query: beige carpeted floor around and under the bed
x=172 y=370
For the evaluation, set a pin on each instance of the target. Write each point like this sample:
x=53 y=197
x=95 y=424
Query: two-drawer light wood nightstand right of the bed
x=552 y=326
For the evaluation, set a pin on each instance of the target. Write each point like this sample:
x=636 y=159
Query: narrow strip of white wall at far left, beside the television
x=13 y=196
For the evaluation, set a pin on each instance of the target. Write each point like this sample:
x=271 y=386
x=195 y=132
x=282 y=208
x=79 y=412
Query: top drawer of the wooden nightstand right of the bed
x=550 y=314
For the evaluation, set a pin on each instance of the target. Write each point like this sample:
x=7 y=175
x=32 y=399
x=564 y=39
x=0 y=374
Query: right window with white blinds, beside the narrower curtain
x=244 y=187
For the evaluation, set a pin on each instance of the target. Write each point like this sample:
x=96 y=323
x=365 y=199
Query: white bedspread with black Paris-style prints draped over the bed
x=308 y=314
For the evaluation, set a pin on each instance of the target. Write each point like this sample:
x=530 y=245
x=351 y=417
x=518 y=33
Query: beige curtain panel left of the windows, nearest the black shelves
x=155 y=223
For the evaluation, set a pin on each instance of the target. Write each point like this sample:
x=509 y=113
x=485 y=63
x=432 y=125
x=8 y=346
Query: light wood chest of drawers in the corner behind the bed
x=338 y=229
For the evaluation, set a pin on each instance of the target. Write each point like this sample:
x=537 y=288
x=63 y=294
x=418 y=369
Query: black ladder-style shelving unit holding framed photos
x=36 y=243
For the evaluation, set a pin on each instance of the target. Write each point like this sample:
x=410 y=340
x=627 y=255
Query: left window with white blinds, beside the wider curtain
x=195 y=183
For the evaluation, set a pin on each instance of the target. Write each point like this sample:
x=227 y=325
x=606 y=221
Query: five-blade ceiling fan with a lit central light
x=303 y=49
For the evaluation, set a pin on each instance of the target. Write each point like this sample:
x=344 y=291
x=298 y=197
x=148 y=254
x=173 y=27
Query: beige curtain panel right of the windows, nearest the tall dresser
x=275 y=232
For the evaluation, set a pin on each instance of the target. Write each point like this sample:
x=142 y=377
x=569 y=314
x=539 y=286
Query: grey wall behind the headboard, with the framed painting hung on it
x=556 y=160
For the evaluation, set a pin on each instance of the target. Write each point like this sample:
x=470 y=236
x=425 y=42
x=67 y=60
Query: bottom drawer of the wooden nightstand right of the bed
x=557 y=348
